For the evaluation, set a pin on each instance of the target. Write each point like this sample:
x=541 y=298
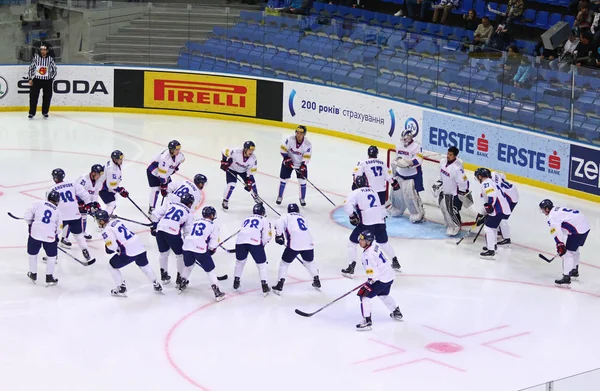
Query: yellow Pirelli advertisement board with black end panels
x=195 y=92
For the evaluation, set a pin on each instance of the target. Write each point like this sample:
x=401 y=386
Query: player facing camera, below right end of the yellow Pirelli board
x=239 y=162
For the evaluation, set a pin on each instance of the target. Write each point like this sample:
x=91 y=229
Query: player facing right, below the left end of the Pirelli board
x=160 y=170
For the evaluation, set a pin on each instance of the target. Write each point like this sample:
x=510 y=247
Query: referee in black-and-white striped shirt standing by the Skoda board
x=42 y=72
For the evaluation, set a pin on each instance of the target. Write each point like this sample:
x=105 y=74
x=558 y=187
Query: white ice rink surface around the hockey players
x=469 y=324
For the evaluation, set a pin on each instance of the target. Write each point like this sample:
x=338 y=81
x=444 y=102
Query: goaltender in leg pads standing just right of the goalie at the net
x=452 y=190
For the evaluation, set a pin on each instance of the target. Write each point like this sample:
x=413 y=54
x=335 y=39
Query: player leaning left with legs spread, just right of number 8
x=127 y=248
